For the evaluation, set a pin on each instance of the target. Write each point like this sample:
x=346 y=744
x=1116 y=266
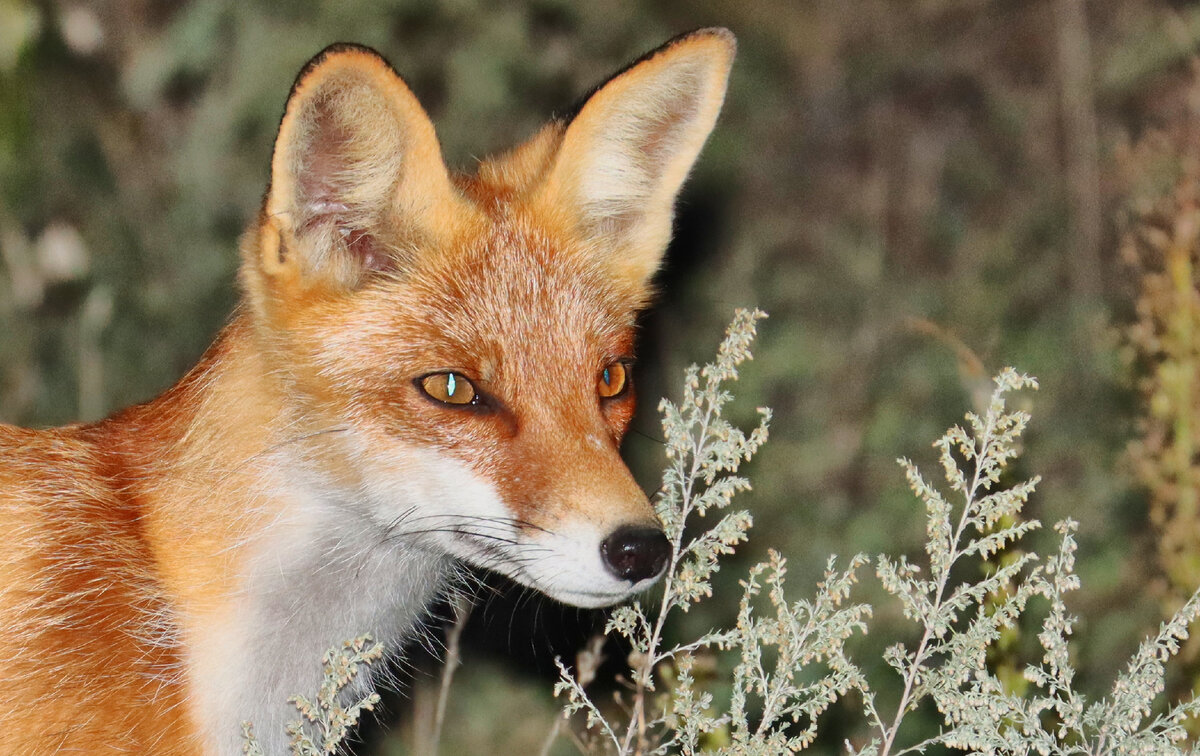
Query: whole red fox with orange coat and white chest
x=427 y=370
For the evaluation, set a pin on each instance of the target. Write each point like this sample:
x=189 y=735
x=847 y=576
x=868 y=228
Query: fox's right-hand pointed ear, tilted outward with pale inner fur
x=626 y=155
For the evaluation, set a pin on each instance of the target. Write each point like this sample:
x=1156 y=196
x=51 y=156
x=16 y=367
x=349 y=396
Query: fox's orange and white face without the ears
x=477 y=439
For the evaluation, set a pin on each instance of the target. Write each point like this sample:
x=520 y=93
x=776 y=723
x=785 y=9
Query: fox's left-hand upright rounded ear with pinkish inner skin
x=357 y=172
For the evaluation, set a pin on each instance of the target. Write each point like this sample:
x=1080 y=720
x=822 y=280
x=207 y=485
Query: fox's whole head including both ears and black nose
x=459 y=349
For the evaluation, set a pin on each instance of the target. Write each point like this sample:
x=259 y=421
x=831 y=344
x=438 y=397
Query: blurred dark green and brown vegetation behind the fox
x=920 y=193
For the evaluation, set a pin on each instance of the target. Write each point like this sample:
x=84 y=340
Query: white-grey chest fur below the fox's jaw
x=326 y=575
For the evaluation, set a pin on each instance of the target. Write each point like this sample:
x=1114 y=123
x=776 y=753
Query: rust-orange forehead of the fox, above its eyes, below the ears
x=512 y=298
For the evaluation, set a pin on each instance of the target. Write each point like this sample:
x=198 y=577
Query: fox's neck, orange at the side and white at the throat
x=267 y=551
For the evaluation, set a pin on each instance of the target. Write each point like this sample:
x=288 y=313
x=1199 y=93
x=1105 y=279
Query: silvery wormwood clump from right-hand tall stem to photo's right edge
x=961 y=623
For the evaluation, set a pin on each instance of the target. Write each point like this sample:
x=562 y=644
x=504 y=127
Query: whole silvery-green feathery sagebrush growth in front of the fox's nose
x=790 y=658
